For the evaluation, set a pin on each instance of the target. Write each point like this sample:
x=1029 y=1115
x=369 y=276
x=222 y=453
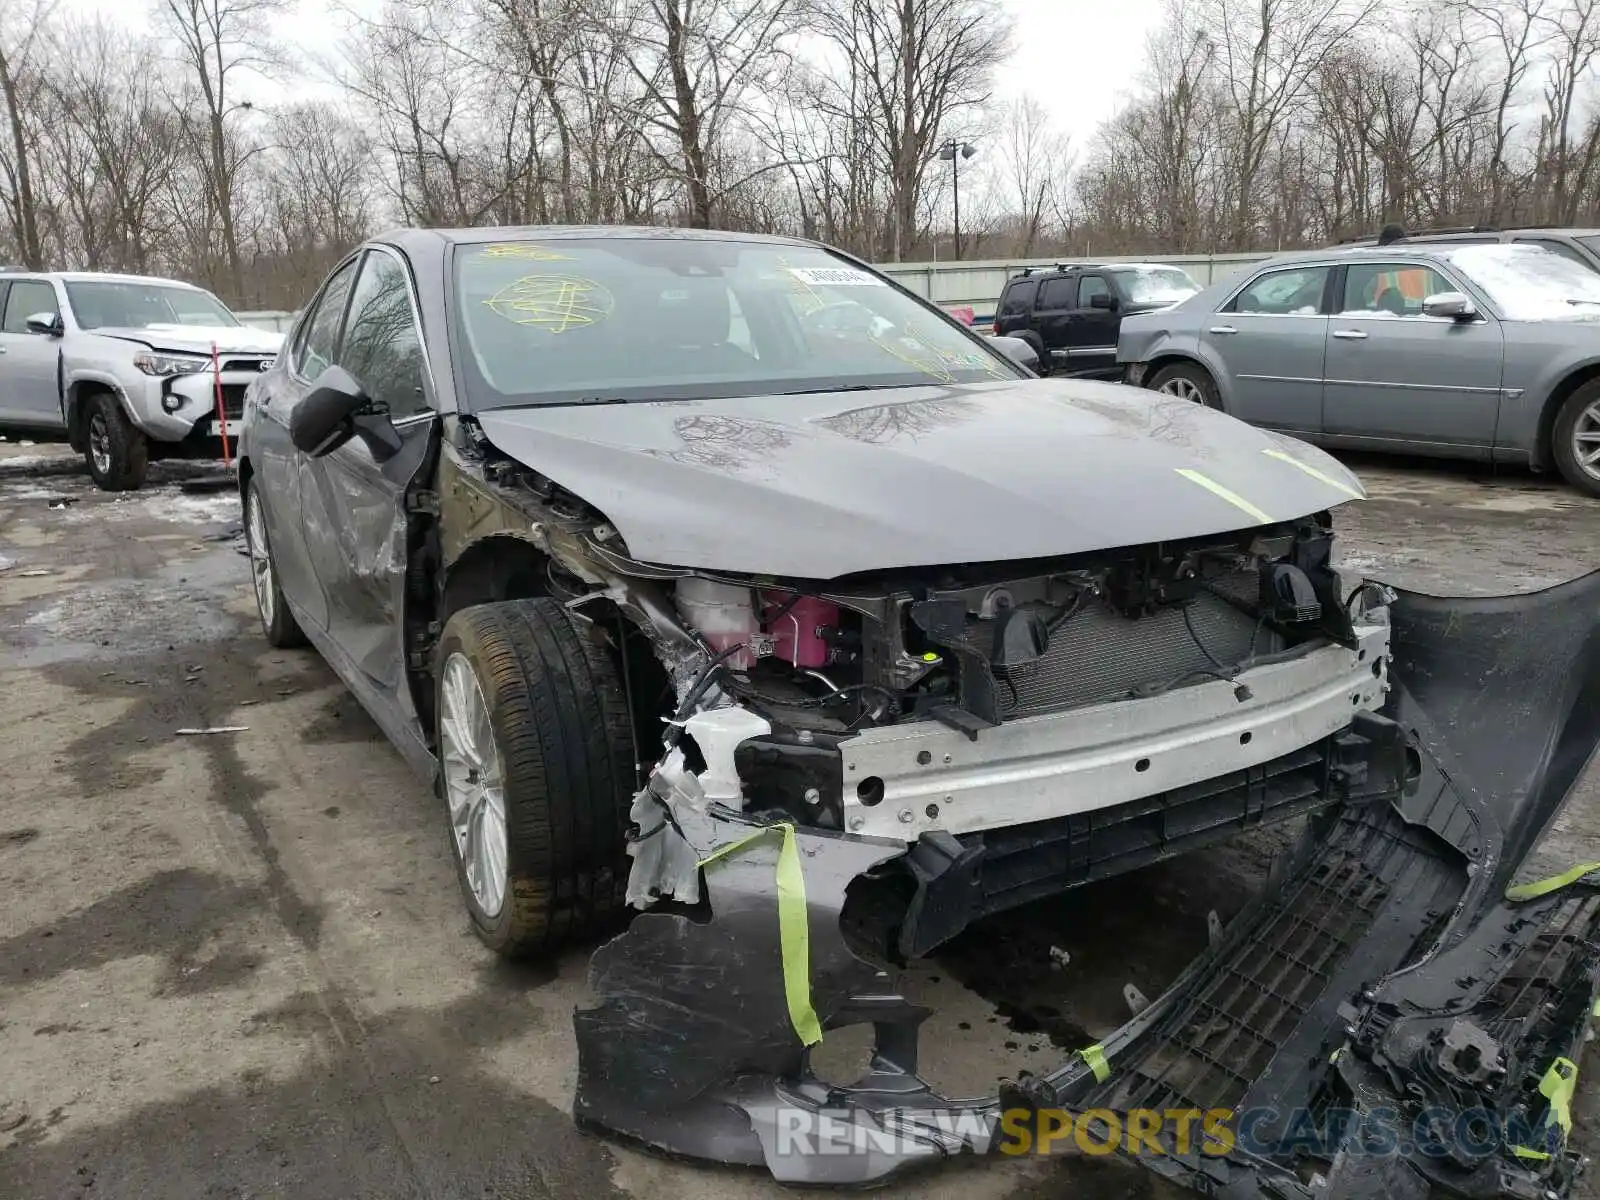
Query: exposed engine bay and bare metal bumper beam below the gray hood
x=983 y=713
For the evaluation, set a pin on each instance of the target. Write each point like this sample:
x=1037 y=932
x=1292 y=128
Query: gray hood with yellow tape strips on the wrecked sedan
x=831 y=484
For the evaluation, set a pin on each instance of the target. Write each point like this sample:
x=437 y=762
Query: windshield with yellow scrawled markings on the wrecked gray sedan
x=623 y=319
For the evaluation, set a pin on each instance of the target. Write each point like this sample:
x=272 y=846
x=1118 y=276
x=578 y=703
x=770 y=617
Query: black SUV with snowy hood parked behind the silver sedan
x=1071 y=314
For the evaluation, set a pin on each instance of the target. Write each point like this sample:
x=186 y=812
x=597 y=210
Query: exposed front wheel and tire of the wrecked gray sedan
x=562 y=751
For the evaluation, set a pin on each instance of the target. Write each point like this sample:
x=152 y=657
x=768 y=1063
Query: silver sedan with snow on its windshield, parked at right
x=1487 y=353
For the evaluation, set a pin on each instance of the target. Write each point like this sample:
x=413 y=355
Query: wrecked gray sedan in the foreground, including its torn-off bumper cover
x=721 y=578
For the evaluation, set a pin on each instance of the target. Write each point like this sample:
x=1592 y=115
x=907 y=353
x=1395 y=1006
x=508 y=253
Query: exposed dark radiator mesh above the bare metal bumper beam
x=1100 y=655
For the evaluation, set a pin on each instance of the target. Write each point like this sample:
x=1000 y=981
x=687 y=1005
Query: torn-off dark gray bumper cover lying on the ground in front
x=1383 y=1023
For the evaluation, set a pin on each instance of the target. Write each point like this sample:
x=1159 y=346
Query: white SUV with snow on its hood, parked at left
x=126 y=367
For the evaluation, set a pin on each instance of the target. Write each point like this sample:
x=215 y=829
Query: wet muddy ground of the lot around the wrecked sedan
x=236 y=966
